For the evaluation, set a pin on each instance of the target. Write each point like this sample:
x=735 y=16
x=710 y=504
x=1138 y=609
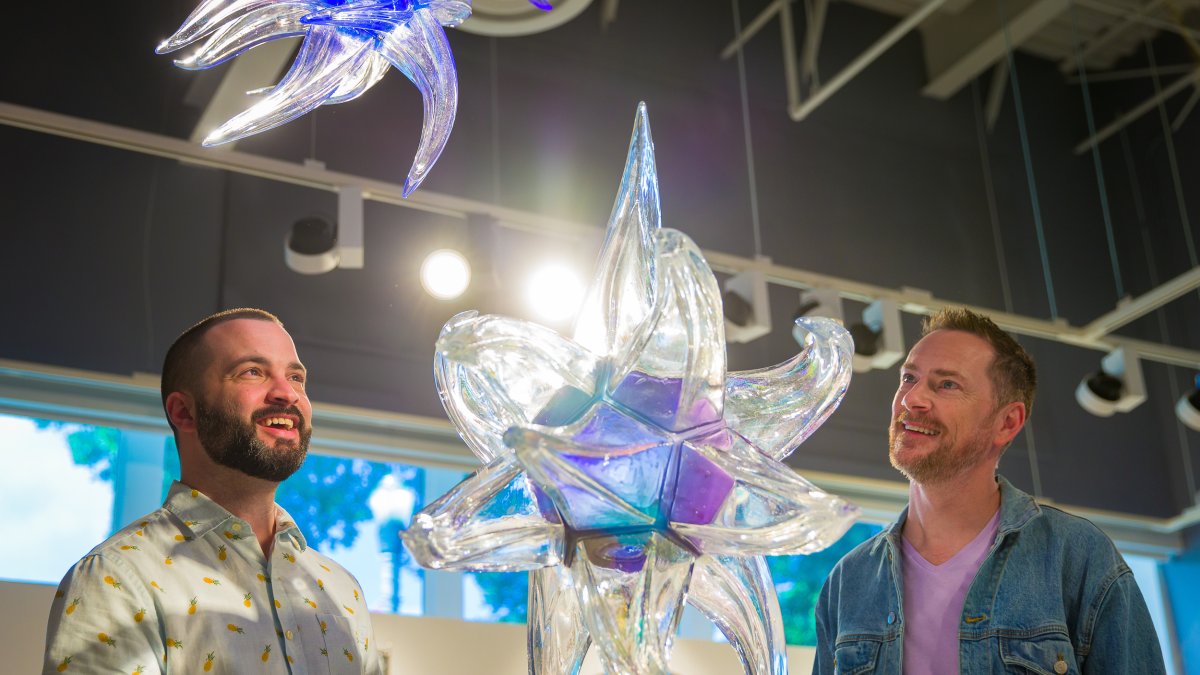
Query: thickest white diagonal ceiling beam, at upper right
x=961 y=47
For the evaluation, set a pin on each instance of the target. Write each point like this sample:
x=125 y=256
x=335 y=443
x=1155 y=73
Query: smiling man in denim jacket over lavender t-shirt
x=976 y=577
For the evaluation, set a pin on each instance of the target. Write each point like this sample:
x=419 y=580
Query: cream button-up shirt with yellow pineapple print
x=188 y=590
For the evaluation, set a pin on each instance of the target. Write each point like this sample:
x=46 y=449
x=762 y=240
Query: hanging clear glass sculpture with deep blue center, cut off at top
x=349 y=46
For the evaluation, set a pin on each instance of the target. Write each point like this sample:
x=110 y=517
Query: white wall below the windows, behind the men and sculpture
x=418 y=647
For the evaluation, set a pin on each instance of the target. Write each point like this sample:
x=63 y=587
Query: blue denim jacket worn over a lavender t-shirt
x=1053 y=596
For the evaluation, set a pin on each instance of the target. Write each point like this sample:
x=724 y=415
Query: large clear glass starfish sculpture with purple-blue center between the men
x=625 y=467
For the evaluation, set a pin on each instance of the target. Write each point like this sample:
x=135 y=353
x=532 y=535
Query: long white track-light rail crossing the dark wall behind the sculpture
x=913 y=301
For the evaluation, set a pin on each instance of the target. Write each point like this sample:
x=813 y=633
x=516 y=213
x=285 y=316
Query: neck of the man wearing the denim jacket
x=946 y=517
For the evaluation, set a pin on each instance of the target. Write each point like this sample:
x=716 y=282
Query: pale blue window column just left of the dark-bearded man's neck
x=137 y=476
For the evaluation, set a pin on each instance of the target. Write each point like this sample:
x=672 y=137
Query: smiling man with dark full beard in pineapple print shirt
x=220 y=580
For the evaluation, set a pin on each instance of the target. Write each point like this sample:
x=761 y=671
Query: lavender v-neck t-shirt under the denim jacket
x=933 y=604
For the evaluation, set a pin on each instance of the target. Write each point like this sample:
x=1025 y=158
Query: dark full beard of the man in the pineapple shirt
x=235 y=444
